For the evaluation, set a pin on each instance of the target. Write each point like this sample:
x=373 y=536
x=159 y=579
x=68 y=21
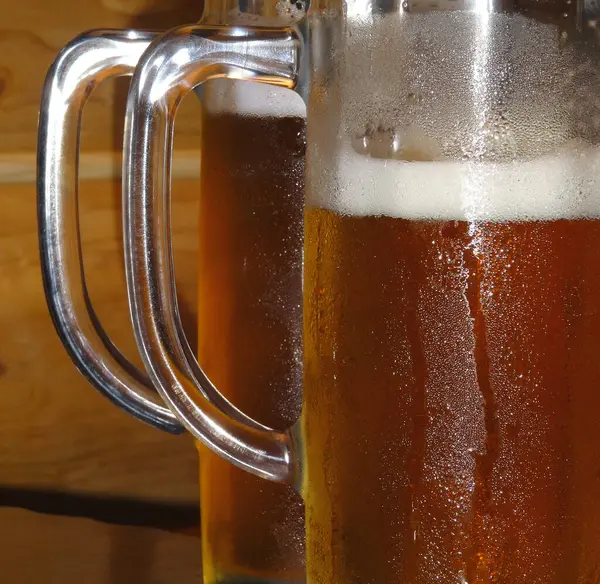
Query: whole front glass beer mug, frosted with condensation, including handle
x=451 y=283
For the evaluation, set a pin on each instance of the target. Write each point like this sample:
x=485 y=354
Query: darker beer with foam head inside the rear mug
x=250 y=319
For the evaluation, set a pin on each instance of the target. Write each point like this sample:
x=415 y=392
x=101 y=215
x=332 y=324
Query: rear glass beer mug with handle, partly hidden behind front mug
x=250 y=530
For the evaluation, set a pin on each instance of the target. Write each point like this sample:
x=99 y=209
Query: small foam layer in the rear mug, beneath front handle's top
x=247 y=98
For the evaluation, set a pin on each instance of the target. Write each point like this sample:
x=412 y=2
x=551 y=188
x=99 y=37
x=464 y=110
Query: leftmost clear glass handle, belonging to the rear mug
x=78 y=69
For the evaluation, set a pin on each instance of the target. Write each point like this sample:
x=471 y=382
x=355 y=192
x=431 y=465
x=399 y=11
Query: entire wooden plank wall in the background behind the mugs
x=83 y=486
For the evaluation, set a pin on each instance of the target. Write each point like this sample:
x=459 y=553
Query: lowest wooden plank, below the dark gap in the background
x=65 y=550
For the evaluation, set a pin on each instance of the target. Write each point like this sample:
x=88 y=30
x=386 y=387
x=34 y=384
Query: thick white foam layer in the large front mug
x=564 y=185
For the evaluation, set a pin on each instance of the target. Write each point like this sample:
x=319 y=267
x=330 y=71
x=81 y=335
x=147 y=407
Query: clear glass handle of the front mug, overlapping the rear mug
x=169 y=69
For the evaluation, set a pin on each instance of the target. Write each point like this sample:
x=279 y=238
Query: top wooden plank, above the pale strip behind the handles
x=32 y=33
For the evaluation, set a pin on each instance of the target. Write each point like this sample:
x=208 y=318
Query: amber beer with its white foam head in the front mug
x=452 y=394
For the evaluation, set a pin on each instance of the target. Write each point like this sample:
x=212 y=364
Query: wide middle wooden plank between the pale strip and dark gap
x=57 y=433
